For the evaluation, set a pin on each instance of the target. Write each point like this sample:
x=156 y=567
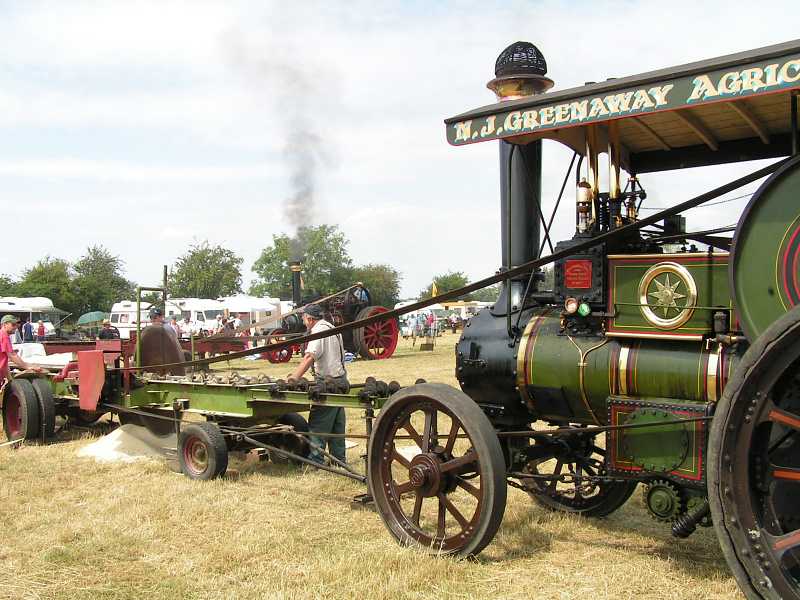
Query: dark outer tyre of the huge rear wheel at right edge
x=788 y=325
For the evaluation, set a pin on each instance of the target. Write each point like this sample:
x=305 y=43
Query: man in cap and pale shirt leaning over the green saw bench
x=327 y=357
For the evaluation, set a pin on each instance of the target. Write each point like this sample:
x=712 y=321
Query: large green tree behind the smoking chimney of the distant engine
x=327 y=267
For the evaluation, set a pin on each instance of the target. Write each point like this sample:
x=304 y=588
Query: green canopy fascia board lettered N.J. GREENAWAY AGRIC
x=750 y=80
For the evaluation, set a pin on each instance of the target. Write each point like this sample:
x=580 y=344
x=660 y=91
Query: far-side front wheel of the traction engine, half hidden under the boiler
x=581 y=462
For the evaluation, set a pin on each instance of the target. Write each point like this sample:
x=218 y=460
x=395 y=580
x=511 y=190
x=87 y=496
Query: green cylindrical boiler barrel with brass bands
x=550 y=370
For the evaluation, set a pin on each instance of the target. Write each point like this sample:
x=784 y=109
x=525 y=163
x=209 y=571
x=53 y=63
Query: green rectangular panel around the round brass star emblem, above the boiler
x=710 y=274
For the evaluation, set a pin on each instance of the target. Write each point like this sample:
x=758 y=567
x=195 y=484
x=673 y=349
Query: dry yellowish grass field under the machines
x=73 y=528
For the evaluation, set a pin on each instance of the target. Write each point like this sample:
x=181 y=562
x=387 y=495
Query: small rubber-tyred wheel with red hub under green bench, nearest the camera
x=202 y=451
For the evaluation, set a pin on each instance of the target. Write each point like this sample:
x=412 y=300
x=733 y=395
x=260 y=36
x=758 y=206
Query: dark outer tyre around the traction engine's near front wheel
x=485 y=442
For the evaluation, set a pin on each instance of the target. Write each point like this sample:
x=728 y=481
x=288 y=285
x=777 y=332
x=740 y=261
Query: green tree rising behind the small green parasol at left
x=99 y=280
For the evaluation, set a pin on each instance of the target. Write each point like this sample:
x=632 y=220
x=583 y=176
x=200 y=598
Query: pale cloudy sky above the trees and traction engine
x=147 y=127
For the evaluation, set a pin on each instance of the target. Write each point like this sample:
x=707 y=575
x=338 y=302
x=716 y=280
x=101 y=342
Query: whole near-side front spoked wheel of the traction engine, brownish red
x=436 y=470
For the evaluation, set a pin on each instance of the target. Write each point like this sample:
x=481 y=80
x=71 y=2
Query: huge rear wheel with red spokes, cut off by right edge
x=754 y=465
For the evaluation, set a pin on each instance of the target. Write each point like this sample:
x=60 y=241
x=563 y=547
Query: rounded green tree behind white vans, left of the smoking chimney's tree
x=206 y=271
